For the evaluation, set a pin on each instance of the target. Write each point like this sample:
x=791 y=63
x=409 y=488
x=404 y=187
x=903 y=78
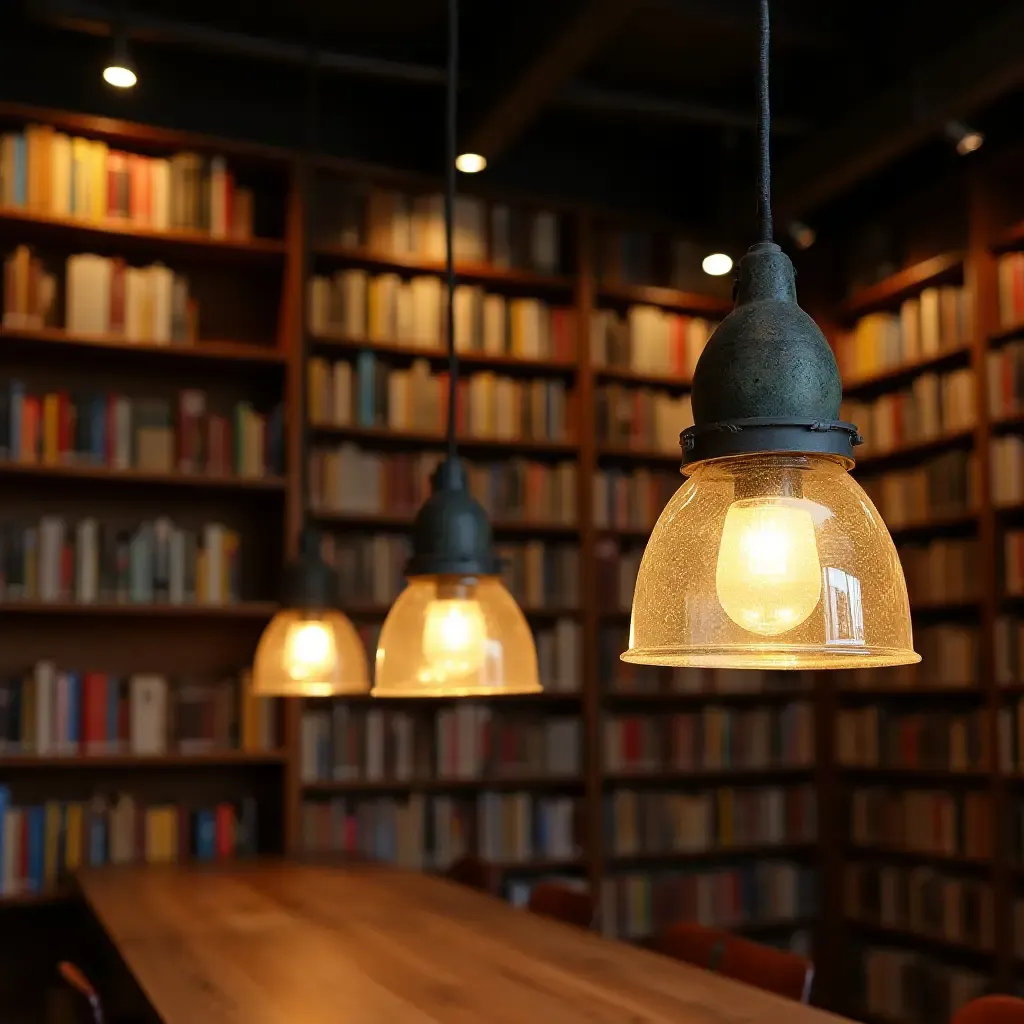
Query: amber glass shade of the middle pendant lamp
x=451 y=636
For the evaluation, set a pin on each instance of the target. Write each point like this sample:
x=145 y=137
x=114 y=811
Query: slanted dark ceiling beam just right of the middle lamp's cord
x=570 y=50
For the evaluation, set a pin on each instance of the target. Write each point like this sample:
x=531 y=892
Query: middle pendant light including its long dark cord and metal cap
x=455 y=631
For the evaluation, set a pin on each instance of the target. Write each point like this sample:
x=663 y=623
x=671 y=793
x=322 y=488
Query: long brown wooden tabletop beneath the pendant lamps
x=279 y=944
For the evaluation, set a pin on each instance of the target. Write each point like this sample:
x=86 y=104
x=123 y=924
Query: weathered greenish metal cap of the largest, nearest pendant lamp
x=767 y=380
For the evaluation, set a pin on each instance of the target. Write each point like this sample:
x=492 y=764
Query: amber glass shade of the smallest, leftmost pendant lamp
x=312 y=654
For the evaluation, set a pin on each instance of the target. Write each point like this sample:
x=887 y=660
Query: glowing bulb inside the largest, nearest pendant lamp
x=769 y=577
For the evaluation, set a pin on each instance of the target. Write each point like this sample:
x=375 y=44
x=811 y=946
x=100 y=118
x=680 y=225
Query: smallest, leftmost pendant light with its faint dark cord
x=310 y=649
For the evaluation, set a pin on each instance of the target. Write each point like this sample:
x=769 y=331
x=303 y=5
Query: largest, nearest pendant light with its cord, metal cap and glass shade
x=771 y=556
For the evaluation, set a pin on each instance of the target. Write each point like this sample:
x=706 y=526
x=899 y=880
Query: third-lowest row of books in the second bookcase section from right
x=927 y=822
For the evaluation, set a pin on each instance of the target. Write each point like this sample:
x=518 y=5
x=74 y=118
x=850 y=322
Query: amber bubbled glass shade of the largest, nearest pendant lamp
x=772 y=562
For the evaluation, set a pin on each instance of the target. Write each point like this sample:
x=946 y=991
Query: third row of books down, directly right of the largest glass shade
x=943 y=487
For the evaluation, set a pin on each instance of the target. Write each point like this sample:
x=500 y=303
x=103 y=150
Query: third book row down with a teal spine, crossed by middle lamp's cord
x=370 y=394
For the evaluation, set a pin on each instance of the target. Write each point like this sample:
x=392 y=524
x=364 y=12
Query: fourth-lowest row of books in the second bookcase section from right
x=880 y=738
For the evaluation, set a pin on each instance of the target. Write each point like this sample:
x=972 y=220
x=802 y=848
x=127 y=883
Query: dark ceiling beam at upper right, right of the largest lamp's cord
x=978 y=71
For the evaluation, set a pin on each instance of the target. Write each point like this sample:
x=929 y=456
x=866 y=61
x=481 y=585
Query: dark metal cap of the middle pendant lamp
x=452 y=534
